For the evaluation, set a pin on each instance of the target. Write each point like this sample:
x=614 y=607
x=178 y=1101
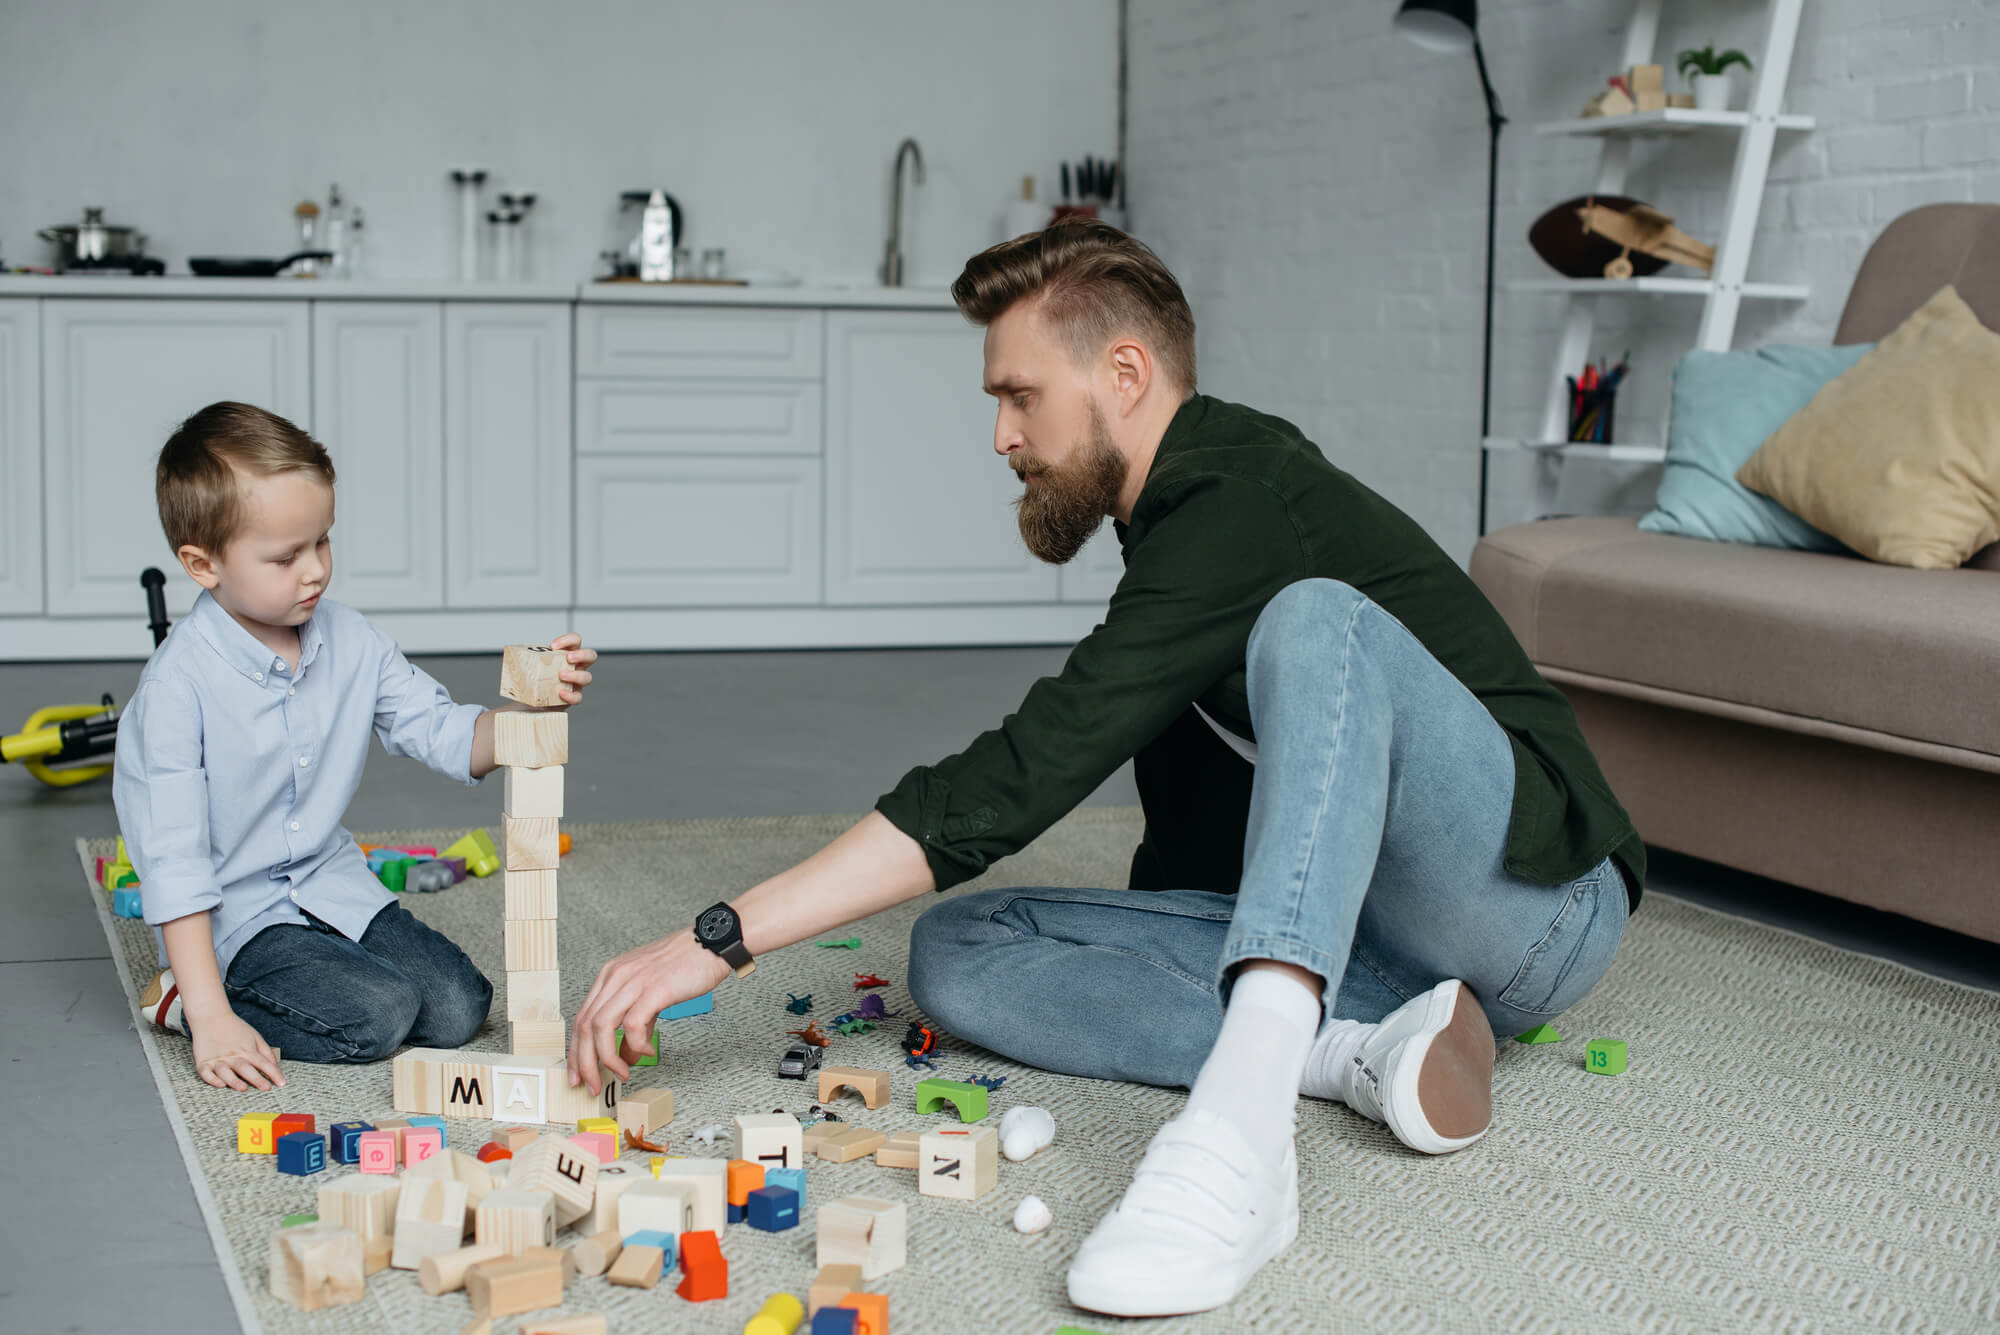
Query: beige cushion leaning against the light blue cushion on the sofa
x=1901 y=457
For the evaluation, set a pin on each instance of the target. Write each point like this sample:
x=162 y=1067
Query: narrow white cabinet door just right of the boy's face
x=379 y=409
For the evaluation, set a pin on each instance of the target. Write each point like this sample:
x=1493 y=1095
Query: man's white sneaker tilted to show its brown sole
x=1427 y=1072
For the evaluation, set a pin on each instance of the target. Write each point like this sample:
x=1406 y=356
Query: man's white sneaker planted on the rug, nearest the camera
x=1201 y=1218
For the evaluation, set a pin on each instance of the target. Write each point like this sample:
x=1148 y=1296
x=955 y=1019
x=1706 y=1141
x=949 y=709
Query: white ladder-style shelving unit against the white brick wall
x=1729 y=287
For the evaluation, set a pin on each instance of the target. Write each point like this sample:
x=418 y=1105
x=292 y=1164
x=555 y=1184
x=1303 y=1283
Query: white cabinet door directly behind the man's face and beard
x=919 y=507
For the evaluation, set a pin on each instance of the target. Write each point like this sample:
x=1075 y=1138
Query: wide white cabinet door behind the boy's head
x=117 y=381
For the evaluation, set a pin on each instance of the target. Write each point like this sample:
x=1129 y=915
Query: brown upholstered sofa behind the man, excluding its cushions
x=1813 y=718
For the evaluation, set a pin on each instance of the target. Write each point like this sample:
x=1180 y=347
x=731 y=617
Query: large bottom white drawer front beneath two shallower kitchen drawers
x=697 y=533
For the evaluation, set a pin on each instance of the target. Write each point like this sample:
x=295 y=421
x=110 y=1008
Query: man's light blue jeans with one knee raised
x=1379 y=820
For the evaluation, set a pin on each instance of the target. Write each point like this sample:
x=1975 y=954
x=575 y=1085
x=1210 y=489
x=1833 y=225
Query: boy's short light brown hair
x=197 y=485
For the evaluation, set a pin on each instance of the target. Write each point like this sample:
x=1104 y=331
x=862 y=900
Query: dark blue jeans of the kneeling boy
x=323 y=998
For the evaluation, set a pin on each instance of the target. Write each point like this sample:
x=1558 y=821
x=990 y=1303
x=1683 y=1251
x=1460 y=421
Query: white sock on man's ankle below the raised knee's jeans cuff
x=1253 y=1074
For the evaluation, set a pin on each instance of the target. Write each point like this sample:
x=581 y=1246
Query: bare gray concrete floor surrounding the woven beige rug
x=667 y=736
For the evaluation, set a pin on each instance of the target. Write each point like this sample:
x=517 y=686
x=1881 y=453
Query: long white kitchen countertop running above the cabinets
x=451 y=291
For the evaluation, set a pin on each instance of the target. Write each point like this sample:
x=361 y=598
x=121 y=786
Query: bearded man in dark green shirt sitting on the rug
x=1375 y=836
